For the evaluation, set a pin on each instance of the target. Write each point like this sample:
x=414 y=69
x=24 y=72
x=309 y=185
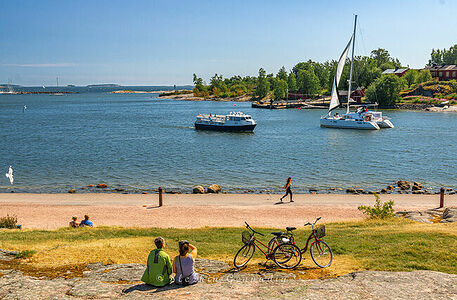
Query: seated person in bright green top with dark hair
x=158 y=267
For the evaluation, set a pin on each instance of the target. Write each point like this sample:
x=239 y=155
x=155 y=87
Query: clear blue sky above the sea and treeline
x=165 y=42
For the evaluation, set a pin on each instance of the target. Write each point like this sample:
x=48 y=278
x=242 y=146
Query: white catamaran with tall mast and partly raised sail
x=362 y=119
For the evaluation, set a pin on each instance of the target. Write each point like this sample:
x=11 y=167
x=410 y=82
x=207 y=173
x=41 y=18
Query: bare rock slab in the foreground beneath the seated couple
x=219 y=281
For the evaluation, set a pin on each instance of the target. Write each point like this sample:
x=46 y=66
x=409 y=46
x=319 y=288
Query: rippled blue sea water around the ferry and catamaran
x=140 y=142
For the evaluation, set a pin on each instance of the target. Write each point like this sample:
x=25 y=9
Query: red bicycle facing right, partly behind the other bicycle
x=320 y=251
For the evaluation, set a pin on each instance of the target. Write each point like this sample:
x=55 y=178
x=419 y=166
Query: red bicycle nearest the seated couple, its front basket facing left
x=285 y=255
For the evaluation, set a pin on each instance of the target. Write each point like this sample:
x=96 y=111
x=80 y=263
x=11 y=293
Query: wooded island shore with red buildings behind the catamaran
x=380 y=78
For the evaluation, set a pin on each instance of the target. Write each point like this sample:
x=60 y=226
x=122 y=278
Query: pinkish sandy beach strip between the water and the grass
x=52 y=211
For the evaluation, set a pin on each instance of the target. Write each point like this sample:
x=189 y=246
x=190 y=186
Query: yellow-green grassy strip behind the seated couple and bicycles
x=391 y=245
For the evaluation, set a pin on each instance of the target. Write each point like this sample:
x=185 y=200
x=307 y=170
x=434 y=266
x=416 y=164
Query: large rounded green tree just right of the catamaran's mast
x=385 y=90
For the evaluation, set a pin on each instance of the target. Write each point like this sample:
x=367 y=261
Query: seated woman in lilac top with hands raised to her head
x=183 y=264
